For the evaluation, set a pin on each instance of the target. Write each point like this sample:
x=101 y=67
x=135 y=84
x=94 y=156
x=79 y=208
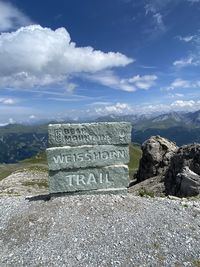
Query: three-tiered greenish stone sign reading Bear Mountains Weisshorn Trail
x=89 y=157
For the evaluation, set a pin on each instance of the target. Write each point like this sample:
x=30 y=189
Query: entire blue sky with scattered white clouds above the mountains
x=91 y=58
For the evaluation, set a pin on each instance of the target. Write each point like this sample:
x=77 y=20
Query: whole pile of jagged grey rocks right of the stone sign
x=175 y=171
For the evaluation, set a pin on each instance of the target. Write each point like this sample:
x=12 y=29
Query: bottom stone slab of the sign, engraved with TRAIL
x=89 y=179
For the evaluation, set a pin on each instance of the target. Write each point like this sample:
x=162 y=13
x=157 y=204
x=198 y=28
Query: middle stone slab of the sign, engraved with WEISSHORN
x=86 y=156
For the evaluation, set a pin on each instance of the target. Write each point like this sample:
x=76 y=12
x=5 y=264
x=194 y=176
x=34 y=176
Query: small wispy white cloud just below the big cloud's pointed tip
x=132 y=84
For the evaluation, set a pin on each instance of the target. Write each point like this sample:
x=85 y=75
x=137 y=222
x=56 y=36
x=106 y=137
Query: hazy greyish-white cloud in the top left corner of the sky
x=11 y=17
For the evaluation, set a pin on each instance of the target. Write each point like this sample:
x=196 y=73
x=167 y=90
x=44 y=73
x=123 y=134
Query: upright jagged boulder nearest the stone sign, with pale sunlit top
x=157 y=152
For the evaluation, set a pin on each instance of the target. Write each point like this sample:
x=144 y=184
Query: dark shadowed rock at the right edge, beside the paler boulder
x=183 y=175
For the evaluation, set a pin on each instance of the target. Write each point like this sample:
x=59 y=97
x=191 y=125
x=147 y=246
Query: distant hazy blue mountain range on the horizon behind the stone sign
x=19 y=141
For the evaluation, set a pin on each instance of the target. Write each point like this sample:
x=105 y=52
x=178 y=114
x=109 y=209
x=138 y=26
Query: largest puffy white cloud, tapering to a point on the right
x=36 y=56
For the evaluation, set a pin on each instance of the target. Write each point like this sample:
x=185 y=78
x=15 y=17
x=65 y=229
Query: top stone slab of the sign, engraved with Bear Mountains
x=103 y=133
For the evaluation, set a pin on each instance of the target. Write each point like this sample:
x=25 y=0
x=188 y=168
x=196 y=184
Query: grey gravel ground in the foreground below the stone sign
x=102 y=230
